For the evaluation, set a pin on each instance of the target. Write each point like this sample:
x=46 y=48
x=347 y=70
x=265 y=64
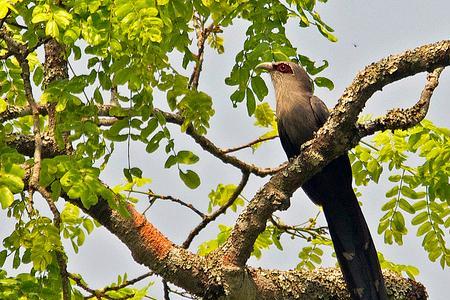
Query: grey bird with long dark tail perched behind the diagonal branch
x=299 y=115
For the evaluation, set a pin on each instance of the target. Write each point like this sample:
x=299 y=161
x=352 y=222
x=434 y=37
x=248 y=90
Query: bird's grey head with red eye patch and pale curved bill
x=288 y=75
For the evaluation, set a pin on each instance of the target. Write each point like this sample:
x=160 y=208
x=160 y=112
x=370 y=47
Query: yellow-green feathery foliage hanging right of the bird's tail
x=421 y=191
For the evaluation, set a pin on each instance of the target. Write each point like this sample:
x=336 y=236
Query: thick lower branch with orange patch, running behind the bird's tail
x=206 y=277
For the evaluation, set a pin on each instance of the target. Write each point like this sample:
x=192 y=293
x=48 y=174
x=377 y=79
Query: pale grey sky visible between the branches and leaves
x=367 y=31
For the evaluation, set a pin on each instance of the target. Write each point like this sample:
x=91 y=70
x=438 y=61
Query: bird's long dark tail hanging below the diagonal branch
x=332 y=188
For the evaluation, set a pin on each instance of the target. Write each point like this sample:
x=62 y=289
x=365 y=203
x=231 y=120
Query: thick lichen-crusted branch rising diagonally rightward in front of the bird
x=333 y=139
